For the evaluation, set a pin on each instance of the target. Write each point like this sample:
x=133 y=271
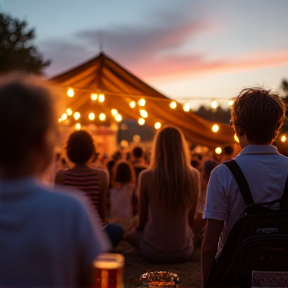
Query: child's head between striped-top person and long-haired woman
x=123 y=172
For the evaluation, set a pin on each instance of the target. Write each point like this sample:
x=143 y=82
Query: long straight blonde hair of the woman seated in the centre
x=176 y=189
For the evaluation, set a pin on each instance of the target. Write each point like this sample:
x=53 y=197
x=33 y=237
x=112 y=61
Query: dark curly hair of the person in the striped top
x=80 y=147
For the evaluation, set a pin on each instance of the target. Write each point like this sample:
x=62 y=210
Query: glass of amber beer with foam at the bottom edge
x=108 y=271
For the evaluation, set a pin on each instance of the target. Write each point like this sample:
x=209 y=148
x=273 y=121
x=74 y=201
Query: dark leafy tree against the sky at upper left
x=17 y=51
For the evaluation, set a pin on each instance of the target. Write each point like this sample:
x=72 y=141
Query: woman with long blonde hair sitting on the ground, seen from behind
x=168 y=195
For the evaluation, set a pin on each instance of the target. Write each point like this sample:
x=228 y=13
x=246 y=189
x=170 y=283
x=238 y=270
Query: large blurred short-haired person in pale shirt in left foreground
x=48 y=237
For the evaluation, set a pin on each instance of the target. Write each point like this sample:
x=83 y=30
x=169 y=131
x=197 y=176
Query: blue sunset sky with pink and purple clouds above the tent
x=187 y=49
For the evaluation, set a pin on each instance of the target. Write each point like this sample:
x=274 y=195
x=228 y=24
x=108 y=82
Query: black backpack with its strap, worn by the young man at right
x=257 y=242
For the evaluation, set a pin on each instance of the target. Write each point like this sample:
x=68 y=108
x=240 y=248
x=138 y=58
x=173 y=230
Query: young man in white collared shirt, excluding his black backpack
x=257 y=116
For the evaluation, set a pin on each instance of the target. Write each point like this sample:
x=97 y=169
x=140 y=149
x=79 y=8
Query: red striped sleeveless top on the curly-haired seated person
x=87 y=182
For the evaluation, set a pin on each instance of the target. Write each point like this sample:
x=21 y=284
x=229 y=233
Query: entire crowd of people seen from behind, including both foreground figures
x=162 y=204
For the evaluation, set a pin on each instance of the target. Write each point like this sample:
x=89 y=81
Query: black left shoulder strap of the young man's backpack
x=242 y=182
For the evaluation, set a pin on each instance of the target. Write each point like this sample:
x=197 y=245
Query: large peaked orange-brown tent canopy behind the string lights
x=102 y=75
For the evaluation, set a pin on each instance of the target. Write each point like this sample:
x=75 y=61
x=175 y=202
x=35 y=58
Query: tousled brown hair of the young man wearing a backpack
x=259 y=113
